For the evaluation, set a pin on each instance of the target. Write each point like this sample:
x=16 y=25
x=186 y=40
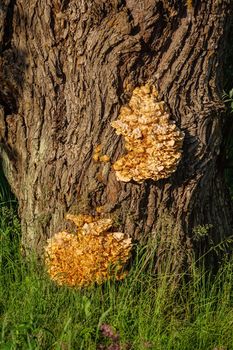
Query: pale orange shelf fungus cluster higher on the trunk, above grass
x=152 y=139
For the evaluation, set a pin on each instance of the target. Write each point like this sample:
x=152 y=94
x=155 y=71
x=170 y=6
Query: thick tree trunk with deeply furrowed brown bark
x=66 y=69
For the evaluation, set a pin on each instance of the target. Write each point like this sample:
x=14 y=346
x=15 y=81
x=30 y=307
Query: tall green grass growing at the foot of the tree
x=145 y=309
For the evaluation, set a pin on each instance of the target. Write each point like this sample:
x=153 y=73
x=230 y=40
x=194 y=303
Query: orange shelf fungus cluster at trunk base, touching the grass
x=90 y=255
